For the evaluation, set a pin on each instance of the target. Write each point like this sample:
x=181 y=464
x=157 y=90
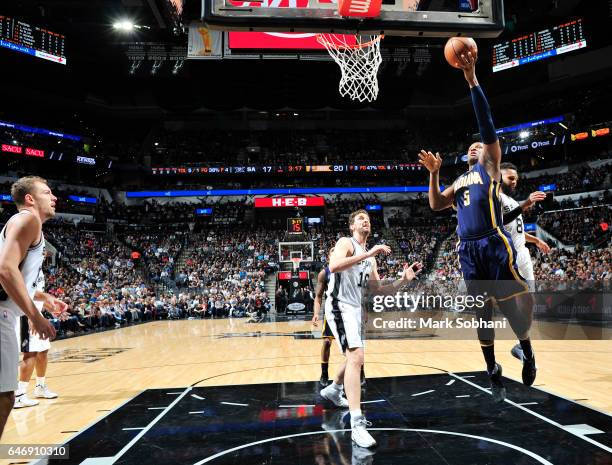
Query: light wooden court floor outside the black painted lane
x=96 y=373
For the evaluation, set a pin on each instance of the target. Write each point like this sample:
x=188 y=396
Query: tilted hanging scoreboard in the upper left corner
x=32 y=40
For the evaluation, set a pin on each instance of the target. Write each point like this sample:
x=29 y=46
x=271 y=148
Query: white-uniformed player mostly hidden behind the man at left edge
x=35 y=349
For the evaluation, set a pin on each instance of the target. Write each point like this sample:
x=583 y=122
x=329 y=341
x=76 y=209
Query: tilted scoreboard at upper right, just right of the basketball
x=536 y=46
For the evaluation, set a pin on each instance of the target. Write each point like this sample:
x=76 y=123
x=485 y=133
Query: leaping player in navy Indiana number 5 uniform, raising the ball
x=486 y=254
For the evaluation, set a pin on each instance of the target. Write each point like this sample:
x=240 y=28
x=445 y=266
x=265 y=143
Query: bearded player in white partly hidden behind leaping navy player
x=513 y=221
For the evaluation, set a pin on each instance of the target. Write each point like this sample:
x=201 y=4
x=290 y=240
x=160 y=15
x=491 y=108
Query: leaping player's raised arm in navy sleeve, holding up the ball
x=492 y=149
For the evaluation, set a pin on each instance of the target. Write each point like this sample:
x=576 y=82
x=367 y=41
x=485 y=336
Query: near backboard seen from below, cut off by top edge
x=422 y=18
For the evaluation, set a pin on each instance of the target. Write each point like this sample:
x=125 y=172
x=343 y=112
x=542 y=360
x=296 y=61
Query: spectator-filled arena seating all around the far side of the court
x=160 y=260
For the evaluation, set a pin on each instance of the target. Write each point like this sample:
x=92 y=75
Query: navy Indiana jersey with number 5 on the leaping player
x=477 y=202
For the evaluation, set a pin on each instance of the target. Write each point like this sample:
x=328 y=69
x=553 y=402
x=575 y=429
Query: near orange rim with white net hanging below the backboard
x=359 y=63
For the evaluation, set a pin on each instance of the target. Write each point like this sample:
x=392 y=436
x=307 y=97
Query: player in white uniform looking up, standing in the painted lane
x=352 y=266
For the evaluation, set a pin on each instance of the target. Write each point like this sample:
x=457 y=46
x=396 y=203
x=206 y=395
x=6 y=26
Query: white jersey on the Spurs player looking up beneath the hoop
x=346 y=286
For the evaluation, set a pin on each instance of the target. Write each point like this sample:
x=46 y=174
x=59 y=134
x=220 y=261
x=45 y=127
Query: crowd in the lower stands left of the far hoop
x=96 y=275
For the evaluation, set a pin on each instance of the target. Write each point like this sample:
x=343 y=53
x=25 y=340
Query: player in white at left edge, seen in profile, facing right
x=21 y=257
